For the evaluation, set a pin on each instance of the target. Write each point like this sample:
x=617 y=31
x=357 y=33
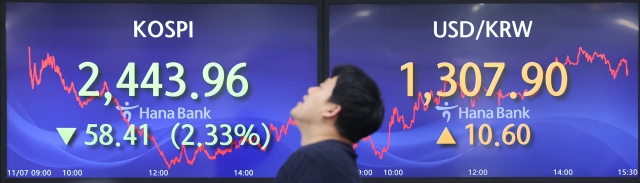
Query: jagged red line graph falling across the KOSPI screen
x=50 y=62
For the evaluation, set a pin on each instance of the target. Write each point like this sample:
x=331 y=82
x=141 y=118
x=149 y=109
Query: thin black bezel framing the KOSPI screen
x=3 y=86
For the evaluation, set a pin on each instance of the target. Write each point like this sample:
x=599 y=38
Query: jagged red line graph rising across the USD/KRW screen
x=398 y=118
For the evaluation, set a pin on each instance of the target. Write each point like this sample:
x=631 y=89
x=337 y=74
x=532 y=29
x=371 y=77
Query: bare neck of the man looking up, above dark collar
x=316 y=133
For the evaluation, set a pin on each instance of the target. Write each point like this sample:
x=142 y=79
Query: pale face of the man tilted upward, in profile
x=315 y=106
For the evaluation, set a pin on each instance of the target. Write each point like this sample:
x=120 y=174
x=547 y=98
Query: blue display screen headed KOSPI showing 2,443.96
x=155 y=90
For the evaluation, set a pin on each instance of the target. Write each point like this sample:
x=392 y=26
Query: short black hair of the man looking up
x=362 y=110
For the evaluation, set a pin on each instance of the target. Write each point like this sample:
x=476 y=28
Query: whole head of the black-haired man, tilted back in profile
x=349 y=101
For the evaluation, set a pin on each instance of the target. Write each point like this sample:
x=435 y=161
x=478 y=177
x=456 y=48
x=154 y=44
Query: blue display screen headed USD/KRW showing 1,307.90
x=496 y=90
